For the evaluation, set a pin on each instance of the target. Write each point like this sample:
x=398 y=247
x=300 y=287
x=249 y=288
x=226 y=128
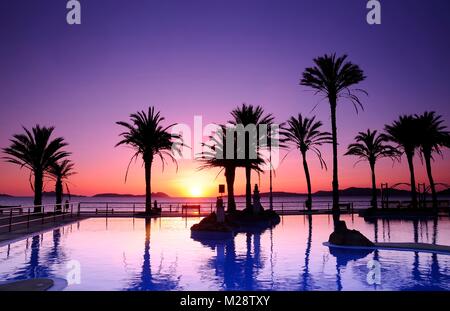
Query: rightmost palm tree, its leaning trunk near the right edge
x=433 y=136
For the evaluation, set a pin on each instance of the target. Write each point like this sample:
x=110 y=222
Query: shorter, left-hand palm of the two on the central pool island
x=215 y=155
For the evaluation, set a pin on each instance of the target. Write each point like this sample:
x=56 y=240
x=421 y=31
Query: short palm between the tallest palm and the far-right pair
x=371 y=146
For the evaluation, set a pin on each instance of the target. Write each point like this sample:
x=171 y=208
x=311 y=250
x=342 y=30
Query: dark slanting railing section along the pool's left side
x=12 y=218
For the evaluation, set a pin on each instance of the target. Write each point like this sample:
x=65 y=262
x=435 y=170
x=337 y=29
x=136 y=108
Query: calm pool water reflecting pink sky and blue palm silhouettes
x=159 y=254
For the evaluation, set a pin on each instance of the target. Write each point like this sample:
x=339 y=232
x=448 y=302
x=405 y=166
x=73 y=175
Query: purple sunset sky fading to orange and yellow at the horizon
x=205 y=58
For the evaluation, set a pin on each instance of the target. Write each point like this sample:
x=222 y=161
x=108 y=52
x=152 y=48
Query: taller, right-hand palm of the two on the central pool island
x=246 y=115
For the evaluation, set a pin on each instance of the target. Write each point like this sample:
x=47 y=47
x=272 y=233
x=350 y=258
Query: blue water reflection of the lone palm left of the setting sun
x=146 y=279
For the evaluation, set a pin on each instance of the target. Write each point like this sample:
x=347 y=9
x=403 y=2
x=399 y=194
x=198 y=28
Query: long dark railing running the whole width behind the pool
x=16 y=217
